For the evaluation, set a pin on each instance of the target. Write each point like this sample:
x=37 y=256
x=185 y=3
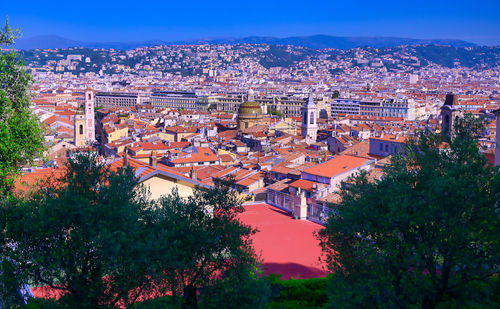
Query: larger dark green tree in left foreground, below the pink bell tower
x=82 y=233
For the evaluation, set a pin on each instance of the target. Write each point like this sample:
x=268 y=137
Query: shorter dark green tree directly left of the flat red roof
x=201 y=249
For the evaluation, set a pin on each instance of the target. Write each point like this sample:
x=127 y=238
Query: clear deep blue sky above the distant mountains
x=476 y=21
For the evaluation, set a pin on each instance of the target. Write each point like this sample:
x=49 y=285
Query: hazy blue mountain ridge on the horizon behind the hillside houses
x=314 y=41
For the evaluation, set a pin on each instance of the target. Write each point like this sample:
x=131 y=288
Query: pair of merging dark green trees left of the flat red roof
x=93 y=234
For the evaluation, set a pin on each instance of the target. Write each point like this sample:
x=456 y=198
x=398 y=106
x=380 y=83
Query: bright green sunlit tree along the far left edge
x=21 y=140
